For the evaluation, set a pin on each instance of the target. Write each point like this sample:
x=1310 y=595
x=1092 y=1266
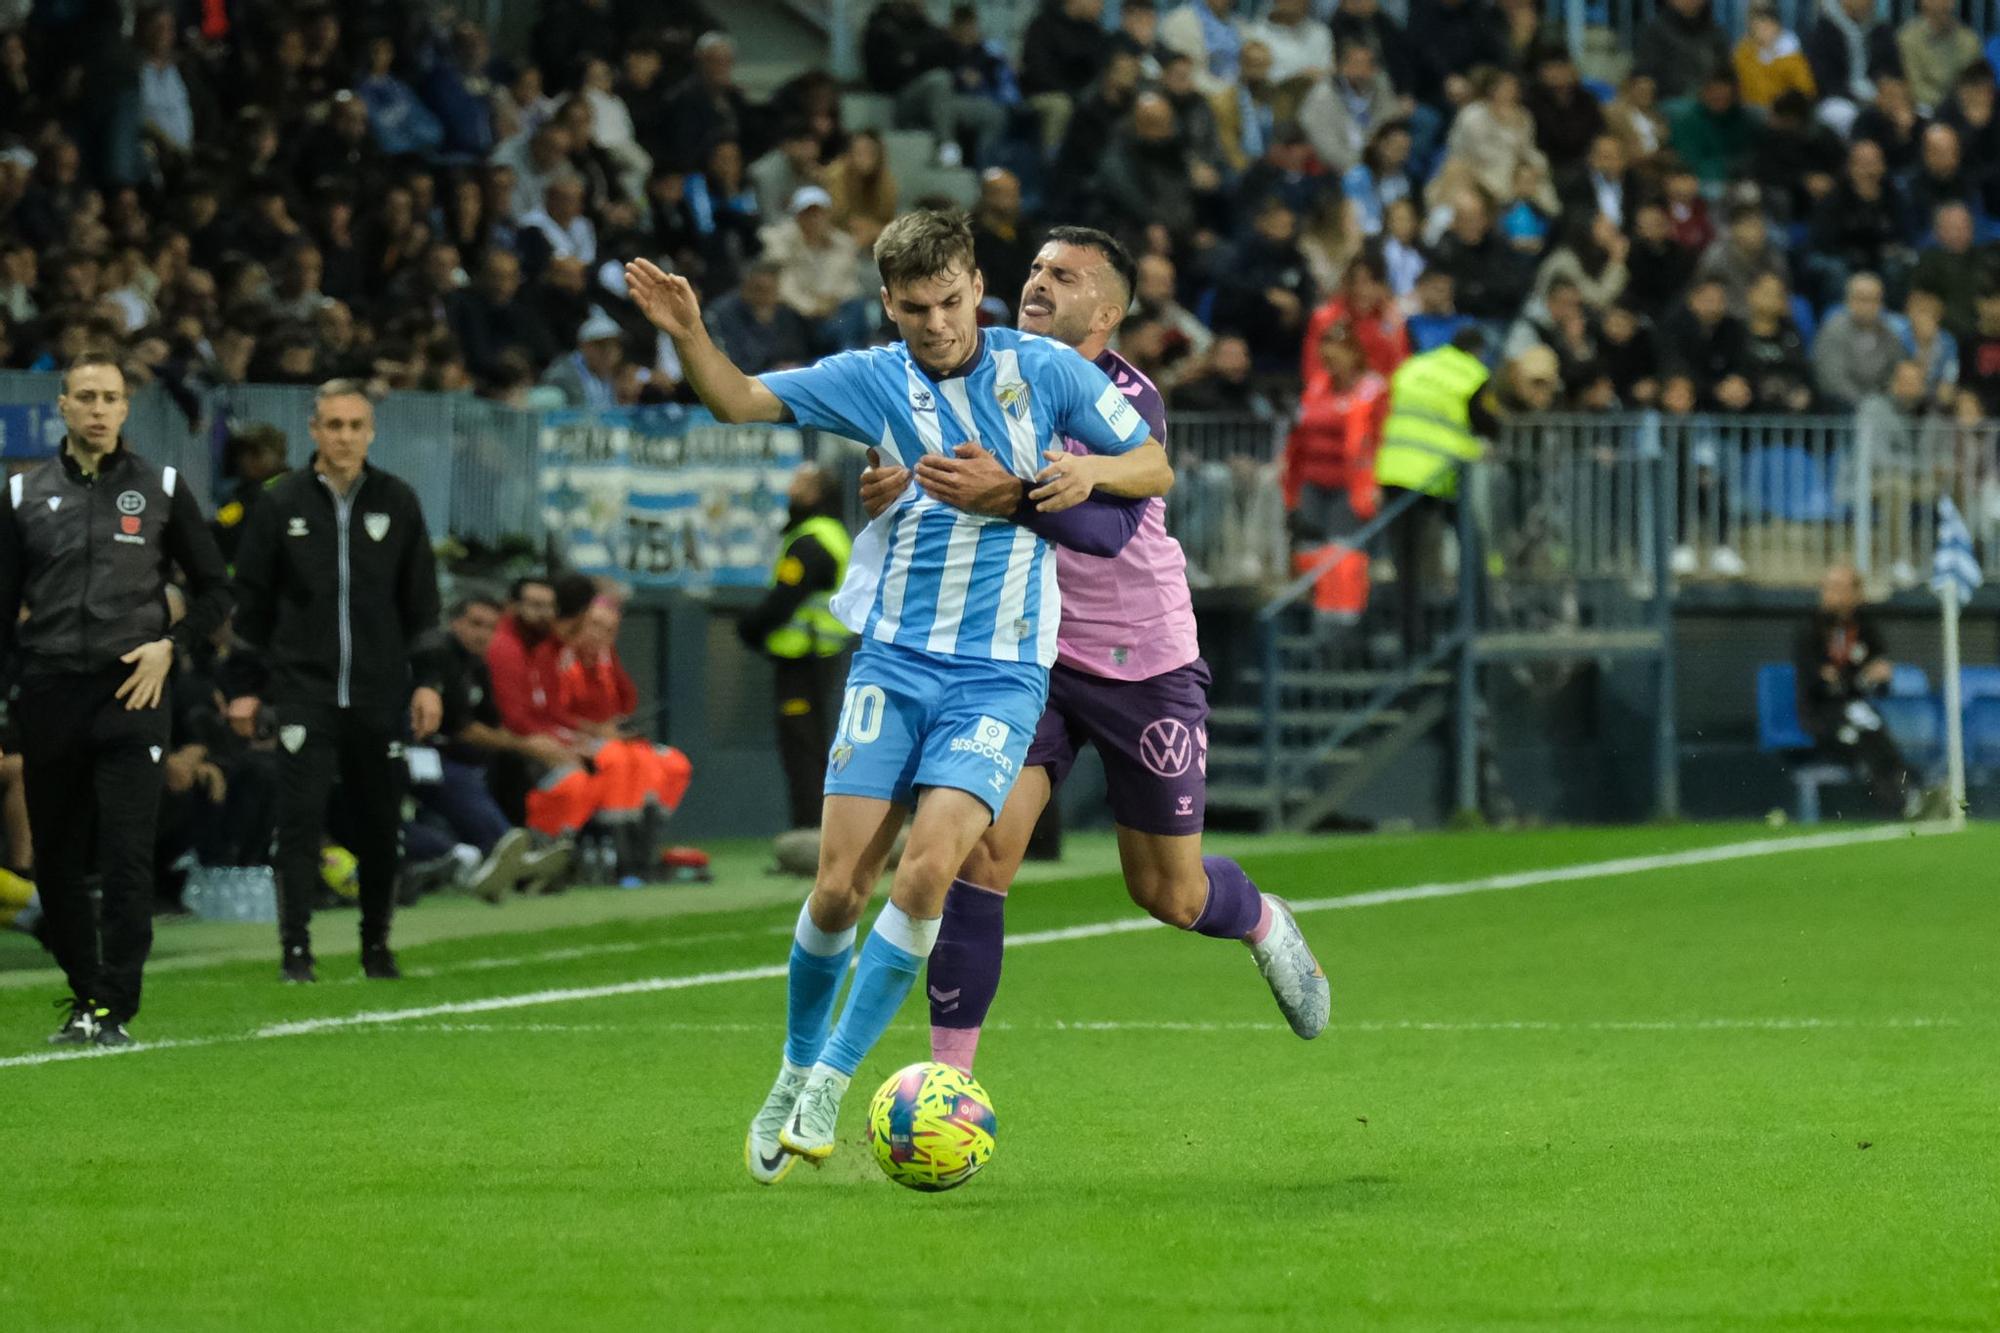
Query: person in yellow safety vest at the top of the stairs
x=1439 y=407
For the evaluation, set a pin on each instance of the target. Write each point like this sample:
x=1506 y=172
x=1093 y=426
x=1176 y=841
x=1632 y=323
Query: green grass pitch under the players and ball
x=1747 y=1094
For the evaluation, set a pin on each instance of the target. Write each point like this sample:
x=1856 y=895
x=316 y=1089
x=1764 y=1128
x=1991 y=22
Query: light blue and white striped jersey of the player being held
x=933 y=577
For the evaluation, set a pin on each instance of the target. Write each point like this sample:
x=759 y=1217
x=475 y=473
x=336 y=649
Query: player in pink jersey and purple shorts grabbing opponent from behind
x=1129 y=680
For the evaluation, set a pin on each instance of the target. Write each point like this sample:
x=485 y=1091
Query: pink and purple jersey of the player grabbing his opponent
x=1129 y=617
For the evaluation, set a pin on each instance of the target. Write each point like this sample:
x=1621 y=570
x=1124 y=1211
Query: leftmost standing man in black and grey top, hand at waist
x=87 y=541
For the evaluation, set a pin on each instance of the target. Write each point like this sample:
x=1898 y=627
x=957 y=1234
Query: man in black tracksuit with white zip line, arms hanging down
x=337 y=581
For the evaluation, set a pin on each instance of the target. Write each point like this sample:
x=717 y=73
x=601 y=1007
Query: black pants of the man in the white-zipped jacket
x=363 y=748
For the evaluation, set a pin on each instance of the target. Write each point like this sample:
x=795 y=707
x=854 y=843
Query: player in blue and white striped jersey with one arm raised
x=957 y=617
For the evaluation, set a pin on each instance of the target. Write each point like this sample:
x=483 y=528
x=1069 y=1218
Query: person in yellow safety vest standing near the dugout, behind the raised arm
x=795 y=627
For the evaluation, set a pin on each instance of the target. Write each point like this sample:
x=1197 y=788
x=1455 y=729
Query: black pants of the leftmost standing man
x=95 y=778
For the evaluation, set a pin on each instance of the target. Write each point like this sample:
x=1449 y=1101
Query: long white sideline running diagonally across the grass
x=1411 y=894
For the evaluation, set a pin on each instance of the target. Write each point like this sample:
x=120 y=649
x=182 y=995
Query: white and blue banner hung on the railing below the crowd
x=667 y=497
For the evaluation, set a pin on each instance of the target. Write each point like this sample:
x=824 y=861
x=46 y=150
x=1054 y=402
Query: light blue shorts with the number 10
x=919 y=720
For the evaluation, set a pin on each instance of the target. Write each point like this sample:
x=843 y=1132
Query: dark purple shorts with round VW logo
x=1151 y=734
